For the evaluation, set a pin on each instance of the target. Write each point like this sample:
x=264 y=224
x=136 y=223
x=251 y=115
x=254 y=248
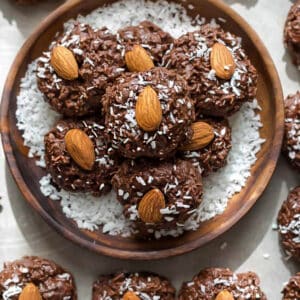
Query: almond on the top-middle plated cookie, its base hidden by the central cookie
x=138 y=60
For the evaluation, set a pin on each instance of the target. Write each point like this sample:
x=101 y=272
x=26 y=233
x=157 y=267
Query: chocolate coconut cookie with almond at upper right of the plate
x=219 y=74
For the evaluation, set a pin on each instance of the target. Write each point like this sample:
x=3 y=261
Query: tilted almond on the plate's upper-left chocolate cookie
x=64 y=63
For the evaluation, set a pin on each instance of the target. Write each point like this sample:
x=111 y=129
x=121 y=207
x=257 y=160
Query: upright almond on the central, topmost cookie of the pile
x=148 y=112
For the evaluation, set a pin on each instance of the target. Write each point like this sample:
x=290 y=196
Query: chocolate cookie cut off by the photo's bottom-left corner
x=36 y=278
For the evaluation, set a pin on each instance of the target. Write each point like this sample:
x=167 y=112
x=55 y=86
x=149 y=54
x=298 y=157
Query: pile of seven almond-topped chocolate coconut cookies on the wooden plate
x=144 y=114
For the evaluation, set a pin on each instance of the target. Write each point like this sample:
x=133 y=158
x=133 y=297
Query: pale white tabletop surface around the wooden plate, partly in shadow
x=251 y=244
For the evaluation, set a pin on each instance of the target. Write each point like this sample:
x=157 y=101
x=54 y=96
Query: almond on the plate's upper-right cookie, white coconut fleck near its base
x=222 y=61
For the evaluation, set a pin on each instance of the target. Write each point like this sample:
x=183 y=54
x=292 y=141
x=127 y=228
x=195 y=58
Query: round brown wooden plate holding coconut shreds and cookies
x=27 y=174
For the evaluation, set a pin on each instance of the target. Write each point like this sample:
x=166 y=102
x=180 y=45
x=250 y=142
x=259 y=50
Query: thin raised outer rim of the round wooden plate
x=274 y=152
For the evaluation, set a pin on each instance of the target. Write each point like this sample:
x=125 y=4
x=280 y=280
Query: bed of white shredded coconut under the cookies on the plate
x=35 y=118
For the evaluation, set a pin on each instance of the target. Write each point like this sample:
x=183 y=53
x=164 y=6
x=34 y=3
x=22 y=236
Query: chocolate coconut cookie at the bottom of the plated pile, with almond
x=158 y=196
